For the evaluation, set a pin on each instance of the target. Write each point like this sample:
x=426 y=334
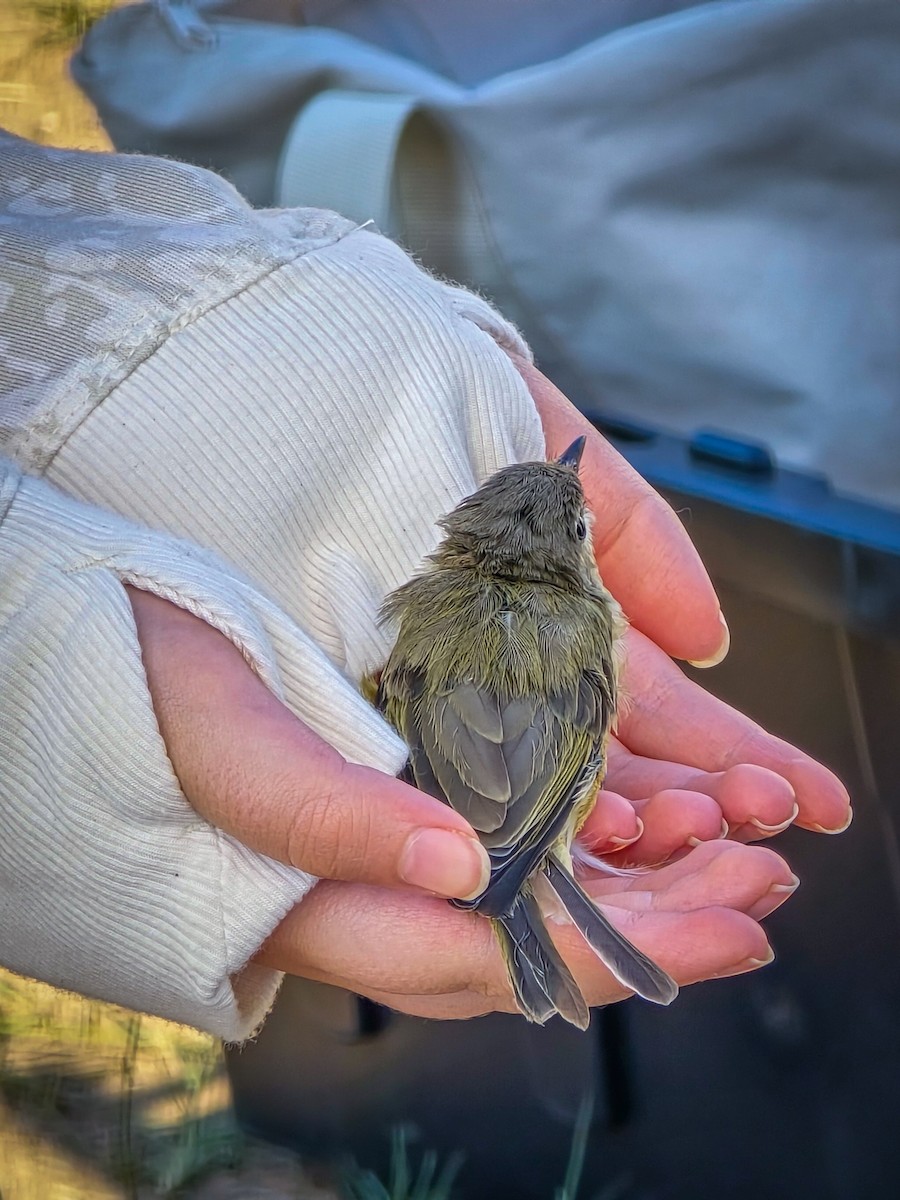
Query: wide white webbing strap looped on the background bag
x=340 y=154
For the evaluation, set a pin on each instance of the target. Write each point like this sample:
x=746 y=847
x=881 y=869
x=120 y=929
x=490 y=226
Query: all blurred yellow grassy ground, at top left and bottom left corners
x=98 y=1103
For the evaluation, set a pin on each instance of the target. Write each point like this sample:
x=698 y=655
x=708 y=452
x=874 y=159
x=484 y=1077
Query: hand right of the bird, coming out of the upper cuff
x=685 y=767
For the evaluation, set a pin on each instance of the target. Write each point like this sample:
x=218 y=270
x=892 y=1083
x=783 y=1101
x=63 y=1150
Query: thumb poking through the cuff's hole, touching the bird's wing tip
x=251 y=769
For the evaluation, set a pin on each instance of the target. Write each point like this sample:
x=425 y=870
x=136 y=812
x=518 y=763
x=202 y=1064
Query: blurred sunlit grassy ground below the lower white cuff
x=98 y=1103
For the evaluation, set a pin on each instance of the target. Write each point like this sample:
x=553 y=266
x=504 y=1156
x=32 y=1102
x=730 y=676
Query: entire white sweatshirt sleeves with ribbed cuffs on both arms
x=310 y=427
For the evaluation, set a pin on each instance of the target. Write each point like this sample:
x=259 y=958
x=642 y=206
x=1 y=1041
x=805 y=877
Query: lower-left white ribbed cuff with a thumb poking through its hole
x=110 y=883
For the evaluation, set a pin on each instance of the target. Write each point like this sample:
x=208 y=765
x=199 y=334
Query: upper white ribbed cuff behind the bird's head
x=314 y=430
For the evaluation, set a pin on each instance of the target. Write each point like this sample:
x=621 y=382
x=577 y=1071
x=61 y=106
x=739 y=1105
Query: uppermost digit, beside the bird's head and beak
x=646 y=557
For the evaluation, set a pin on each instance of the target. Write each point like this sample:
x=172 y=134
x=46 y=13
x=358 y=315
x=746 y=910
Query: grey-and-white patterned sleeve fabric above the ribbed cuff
x=103 y=259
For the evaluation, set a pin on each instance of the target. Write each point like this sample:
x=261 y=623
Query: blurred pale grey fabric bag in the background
x=693 y=218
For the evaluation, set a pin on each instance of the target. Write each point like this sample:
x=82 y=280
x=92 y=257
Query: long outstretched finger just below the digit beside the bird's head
x=671 y=718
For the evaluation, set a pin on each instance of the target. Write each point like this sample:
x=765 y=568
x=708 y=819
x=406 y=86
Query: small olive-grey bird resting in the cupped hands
x=503 y=683
